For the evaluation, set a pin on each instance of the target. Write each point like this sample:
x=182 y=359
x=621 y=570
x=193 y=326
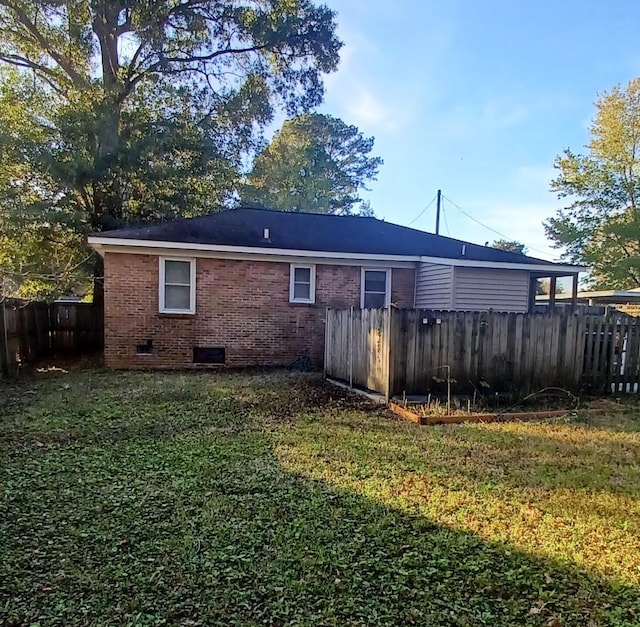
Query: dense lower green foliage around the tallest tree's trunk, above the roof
x=172 y=161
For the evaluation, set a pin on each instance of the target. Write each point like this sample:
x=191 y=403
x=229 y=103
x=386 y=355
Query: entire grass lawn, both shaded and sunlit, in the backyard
x=247 y=499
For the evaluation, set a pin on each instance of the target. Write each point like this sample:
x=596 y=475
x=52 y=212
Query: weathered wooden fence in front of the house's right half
x=397 y=352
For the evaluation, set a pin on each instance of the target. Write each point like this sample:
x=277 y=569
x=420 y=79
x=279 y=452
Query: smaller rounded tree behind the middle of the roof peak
x=314 y=163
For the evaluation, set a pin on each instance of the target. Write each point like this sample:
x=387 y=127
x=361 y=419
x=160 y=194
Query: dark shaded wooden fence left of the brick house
x=30 y=330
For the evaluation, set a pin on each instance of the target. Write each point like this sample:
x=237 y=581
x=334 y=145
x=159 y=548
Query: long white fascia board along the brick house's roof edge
x=112 y=244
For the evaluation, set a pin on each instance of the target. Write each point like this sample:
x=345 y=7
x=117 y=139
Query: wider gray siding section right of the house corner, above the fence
x=479 y=289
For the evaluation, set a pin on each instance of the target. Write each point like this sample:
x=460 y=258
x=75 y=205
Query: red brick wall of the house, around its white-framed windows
x=241 y=305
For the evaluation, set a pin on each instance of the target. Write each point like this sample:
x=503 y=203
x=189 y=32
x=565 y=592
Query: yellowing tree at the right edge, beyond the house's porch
x=601 y=226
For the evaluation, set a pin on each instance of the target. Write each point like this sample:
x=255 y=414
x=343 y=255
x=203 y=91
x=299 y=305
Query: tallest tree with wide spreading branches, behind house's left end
x=151 y=107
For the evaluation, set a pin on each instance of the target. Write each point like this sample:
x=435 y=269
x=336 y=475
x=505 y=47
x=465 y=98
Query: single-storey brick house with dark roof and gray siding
x=250 y=287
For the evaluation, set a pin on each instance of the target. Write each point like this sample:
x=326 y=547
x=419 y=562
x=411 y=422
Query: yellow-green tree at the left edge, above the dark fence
x=40 y=255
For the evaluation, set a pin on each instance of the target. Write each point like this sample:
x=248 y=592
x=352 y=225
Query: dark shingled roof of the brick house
x=315 y=232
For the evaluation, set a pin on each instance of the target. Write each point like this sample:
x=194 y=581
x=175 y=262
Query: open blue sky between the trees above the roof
x=477 y=98
